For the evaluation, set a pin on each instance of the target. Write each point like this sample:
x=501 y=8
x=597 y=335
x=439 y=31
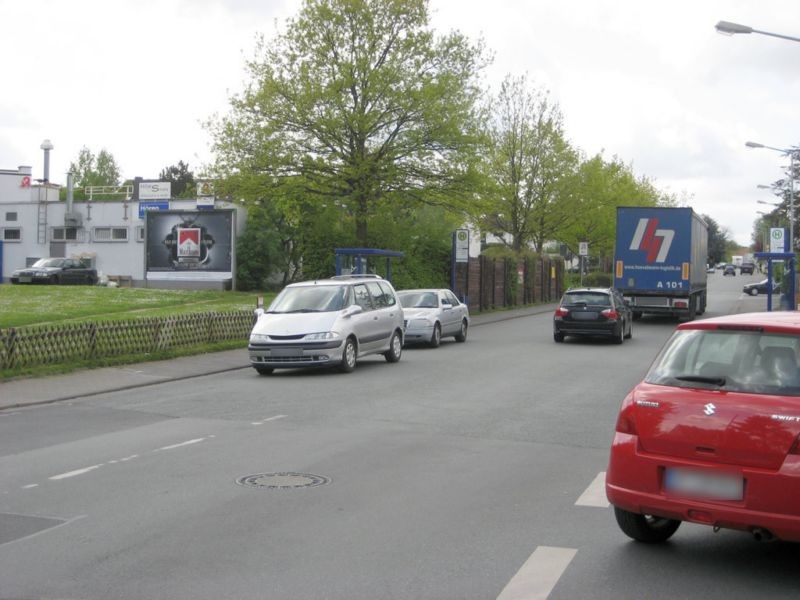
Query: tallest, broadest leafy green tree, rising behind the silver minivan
x=357 y=102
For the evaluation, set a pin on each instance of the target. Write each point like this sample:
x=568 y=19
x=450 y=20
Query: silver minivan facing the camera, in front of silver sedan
x=328 y=323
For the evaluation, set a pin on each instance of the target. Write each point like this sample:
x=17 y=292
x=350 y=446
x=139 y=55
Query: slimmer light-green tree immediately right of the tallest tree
x=531 y=167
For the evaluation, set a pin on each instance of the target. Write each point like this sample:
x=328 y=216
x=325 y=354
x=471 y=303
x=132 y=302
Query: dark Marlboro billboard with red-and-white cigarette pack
x=189 y=241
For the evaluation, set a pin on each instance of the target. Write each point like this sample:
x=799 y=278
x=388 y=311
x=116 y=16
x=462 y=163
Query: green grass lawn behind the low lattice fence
x=22 y=305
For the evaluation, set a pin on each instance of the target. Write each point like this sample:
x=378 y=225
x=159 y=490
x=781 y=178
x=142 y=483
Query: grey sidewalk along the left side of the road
x=42 y=390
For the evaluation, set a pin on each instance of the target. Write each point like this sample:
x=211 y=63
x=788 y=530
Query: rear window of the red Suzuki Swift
x=731 y=360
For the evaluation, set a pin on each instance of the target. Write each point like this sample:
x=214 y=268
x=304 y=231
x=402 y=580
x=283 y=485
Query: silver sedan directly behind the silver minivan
x=433 y=314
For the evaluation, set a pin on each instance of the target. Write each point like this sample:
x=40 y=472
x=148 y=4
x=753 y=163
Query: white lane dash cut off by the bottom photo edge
x=539 y=575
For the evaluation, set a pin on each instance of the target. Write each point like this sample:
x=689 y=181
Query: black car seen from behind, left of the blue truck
x=593 y=312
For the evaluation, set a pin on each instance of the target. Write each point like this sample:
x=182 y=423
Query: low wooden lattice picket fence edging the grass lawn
x=25 y=347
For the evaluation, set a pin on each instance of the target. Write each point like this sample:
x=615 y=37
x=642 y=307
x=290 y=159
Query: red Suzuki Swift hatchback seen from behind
x=712 y=433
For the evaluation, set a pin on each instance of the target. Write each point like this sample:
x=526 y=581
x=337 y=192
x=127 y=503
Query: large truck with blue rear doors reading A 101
x=660 y=261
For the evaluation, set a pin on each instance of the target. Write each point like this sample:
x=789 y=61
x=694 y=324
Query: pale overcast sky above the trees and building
x=649 y=82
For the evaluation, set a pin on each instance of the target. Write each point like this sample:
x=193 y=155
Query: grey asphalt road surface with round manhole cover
x=473 y=471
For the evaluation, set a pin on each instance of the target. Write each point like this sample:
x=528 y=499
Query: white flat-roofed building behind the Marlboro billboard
x=35 y=223
